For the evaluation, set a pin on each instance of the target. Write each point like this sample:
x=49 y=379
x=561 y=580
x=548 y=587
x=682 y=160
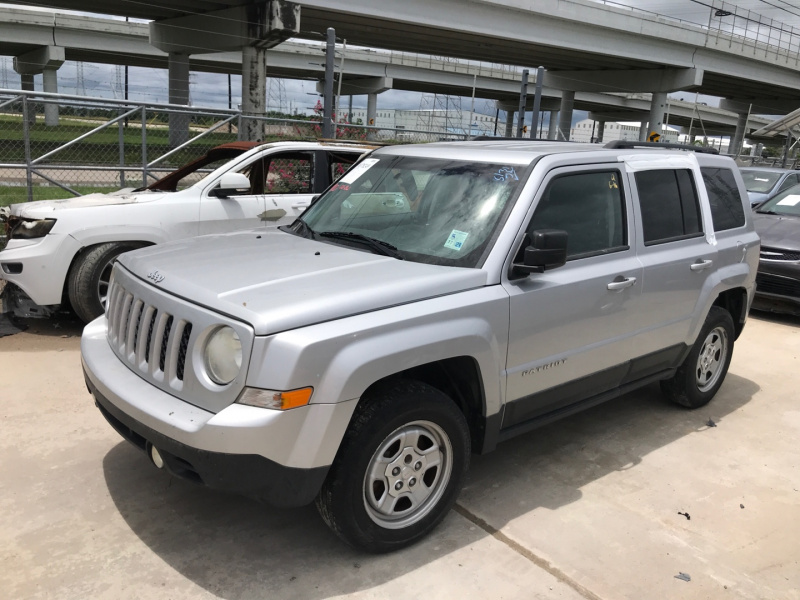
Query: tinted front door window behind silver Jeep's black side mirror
x=590 y=207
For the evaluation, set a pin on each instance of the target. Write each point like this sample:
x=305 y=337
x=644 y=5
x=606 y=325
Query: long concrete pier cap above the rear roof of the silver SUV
x=649 y=80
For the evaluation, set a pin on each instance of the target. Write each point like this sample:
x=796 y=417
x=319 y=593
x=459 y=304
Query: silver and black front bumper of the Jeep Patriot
x=279 y=457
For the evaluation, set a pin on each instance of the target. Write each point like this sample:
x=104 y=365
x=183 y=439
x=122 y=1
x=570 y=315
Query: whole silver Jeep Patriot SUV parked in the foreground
x=437 y=300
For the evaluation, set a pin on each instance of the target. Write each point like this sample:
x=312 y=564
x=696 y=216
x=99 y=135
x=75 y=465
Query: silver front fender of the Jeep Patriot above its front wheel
x=342 y=358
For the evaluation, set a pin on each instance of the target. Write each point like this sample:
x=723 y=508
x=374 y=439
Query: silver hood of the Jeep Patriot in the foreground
x=277 y=281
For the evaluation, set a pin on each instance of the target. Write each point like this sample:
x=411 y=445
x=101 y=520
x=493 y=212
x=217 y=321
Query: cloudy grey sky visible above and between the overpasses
x=211 y=90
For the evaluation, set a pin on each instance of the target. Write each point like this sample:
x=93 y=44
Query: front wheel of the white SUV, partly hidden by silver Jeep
x=87 y=282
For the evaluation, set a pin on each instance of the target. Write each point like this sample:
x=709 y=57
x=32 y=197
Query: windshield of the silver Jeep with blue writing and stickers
x=435 y=211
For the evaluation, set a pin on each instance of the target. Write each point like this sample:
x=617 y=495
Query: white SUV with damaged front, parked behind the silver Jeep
x=64 y=249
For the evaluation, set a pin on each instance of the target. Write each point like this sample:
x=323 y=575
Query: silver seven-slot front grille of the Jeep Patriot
x=149 y=339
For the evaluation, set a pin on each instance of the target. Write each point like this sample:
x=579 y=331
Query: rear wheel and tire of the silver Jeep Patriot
x=700 y=376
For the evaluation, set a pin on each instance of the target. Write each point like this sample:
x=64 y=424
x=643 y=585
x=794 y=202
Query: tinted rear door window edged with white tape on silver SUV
x=668 y=201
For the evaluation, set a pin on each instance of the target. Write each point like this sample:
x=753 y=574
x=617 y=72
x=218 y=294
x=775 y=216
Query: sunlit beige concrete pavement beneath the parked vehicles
x=584 y=508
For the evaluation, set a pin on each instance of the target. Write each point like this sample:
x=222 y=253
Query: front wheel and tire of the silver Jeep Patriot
x=399 y=468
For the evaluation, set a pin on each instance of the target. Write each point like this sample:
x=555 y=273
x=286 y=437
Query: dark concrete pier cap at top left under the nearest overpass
x=264 y=25
